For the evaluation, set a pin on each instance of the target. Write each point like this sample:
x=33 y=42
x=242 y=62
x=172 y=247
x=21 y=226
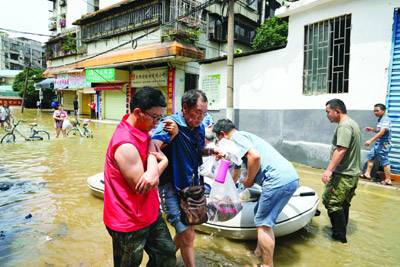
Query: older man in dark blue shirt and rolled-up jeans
x=181 y=136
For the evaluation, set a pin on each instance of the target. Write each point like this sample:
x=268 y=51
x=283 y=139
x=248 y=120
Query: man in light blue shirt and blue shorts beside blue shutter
x=382 y=144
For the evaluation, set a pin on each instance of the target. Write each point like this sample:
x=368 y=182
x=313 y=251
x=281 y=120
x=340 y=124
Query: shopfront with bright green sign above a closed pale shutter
x=111 y=94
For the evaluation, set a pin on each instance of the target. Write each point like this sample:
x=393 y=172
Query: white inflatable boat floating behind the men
x=295 y=215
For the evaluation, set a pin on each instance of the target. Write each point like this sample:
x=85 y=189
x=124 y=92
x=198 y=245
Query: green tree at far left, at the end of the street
x=32 y=95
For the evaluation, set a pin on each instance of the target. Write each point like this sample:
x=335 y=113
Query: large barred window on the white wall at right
x=327 y=56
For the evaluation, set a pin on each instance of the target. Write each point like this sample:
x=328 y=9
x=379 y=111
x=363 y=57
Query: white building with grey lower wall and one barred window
x=281 y=94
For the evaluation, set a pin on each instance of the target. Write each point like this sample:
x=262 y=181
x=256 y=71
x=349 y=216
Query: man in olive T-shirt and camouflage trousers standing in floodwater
x=341 y=175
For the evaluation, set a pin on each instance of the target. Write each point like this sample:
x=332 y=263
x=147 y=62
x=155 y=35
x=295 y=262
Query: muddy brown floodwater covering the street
x=48 y=216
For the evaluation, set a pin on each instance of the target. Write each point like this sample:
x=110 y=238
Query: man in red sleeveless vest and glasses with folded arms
x=131 y=175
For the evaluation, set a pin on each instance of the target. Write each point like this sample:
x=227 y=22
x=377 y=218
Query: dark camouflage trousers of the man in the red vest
x=154 y=239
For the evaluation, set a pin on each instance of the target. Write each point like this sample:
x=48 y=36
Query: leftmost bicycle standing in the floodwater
x=35 y=135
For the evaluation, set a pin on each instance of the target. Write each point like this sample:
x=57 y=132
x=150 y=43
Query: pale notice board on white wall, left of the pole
x=211 y=87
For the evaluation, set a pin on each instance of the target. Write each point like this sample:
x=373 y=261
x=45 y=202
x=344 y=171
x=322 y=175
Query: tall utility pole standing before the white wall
x=229 y=64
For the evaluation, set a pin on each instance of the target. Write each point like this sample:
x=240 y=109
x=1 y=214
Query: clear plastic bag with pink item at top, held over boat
x=223 y=203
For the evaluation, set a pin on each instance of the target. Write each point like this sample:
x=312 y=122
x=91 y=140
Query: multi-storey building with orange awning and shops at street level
x=169 y=38
